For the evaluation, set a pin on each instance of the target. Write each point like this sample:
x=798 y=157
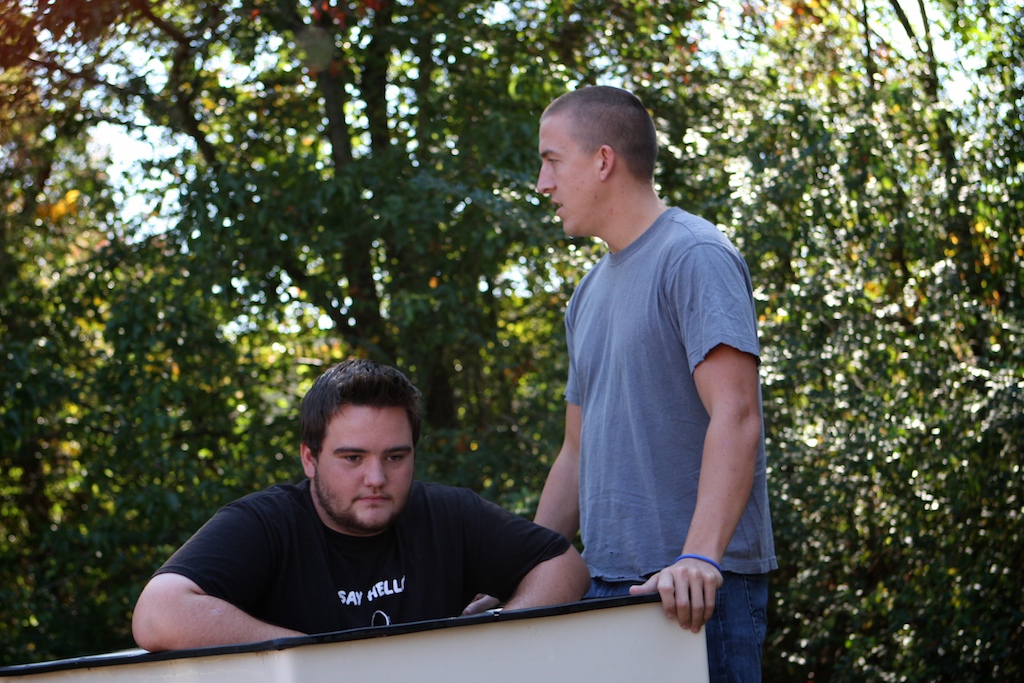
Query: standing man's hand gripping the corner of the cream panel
x=688 y=589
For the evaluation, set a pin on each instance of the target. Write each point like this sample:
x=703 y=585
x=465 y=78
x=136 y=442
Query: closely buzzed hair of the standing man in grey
x=604 y=115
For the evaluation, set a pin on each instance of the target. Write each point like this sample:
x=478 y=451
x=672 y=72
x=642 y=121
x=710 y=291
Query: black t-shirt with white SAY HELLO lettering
x=270 y=554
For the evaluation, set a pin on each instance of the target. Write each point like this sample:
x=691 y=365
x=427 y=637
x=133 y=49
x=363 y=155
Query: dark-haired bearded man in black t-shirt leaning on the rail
x=359 y=543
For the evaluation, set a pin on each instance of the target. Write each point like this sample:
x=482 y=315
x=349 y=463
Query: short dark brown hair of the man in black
x=357 y=382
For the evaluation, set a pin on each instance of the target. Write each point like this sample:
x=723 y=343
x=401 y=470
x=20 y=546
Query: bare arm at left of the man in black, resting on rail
x=174 y=614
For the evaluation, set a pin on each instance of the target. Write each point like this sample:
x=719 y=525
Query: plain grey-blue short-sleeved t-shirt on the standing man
x=637 y=326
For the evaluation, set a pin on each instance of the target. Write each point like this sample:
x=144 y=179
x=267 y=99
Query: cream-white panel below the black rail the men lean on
x=619 y=645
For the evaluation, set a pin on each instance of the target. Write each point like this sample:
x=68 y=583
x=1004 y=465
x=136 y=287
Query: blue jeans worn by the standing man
x=737 y=631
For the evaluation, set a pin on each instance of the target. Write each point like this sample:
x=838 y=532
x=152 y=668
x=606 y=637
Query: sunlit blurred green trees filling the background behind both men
x=205 y=203
